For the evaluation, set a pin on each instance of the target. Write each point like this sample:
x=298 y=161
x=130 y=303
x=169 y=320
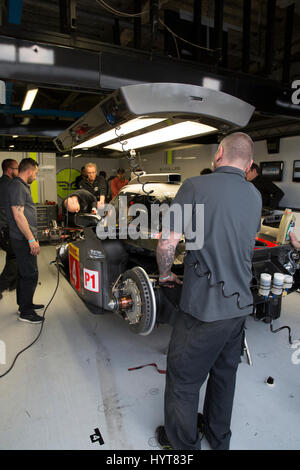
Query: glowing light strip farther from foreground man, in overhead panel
x=127 y=128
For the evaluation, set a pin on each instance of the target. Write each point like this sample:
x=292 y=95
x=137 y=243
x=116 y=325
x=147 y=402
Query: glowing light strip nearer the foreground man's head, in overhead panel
x=174 y=132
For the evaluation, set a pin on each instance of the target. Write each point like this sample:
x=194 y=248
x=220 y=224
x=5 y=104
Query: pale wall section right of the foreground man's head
x=289 y=151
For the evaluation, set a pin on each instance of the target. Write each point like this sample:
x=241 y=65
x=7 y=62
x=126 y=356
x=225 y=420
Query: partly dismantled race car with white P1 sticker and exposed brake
x=113 y=269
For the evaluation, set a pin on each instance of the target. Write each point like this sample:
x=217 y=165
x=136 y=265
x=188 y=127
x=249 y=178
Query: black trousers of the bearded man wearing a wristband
x=27 y=275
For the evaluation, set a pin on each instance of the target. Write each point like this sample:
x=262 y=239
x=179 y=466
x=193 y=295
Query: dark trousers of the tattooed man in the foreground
x=198 y=349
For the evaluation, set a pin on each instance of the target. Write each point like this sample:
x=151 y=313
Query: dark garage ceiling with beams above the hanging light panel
x=103 y=44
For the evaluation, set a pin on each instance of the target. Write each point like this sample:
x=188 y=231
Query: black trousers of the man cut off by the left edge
x=8 y=277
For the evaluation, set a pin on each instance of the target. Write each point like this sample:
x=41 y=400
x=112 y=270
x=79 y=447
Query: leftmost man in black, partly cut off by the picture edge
x=8 y=277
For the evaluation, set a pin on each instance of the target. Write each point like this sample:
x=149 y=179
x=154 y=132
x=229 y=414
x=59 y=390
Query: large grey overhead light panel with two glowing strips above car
x=136 y=107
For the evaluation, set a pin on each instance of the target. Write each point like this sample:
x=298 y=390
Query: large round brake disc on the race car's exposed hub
x=137 y=283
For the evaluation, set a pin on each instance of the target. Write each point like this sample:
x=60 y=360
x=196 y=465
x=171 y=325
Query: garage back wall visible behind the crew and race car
x=188 y=162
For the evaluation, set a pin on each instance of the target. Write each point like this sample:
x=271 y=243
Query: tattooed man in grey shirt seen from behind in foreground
x=207 y=336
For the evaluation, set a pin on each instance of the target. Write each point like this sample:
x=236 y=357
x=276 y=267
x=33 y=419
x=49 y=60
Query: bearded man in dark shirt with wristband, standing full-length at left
x=22 y=221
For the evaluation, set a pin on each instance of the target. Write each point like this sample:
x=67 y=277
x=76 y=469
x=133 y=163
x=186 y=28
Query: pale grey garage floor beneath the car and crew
x=75 y=378
